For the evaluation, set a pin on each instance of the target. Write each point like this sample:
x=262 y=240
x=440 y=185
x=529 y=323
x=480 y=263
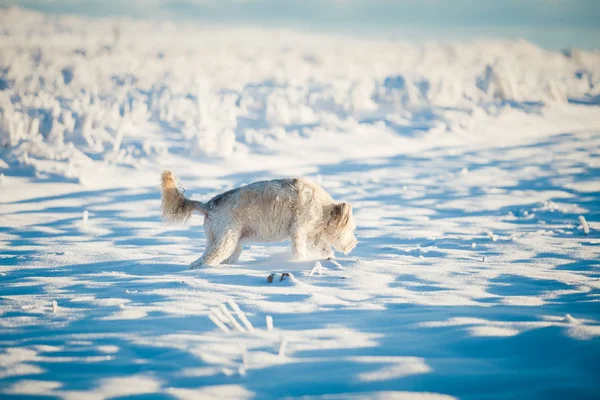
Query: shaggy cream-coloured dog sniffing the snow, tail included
x=267 y=211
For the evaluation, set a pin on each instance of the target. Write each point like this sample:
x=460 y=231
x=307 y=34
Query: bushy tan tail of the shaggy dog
x=175 y=206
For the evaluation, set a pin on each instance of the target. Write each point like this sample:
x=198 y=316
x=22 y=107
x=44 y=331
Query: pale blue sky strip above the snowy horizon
x=553 y=24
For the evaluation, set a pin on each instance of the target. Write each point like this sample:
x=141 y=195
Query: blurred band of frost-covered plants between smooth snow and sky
x=73 y=89
